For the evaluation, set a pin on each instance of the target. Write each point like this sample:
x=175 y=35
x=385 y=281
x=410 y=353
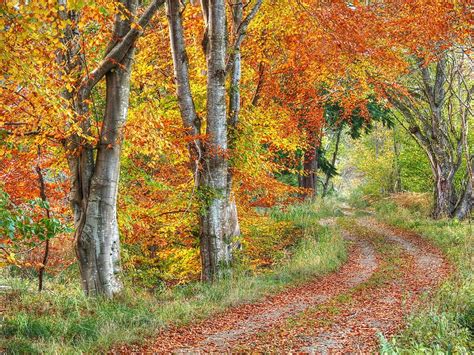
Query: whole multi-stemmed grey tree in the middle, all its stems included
x=210 y=157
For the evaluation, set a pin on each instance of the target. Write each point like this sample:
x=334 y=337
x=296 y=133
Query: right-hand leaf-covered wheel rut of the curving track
x=429 y=266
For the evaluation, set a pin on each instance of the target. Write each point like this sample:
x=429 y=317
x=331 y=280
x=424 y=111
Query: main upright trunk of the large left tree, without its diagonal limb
x=97 y=234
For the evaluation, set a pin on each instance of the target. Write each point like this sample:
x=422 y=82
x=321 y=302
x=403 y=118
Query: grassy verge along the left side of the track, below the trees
x=62 y=320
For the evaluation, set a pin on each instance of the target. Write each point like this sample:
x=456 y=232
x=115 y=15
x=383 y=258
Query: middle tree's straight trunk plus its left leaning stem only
x=211 y=167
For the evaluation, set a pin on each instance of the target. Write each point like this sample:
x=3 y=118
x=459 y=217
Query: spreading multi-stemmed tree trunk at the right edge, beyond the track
x=436 y=114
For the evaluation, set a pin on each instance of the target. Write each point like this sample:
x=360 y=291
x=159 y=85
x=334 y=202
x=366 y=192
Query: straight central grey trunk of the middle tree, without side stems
x=215 y=243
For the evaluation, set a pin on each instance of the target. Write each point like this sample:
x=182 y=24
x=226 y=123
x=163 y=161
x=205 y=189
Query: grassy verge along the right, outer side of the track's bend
x=445 y=322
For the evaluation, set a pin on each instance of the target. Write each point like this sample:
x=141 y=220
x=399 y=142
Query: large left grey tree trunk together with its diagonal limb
x=95 y=170
